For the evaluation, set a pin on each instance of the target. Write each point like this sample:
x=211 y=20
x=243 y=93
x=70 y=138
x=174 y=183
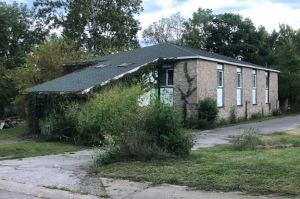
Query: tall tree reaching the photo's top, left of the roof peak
x=100 y=26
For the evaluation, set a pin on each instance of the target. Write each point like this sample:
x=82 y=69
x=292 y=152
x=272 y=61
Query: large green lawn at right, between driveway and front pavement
x=272 y=171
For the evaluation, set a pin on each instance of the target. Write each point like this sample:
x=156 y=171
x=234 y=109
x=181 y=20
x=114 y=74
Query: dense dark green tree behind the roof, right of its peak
x=227 y=34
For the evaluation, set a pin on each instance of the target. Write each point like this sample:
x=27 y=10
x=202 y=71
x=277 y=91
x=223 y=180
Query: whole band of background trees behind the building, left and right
x=29 y=55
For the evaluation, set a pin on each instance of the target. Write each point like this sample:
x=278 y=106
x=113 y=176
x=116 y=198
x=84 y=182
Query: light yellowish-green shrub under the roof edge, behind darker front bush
x=106 y=113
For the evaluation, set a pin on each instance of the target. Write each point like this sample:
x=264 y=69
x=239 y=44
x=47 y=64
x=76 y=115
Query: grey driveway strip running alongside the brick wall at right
x=223 y=135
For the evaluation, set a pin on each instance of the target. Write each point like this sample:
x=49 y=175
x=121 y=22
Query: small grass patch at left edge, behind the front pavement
x=13 y=145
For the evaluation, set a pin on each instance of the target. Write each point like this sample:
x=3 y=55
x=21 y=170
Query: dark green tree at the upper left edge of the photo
x=18 y=33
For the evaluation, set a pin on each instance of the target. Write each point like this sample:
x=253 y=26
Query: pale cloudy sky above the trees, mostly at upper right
x=268 y=13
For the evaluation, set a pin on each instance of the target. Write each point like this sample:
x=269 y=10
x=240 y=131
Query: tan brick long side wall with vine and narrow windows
x=206 y=82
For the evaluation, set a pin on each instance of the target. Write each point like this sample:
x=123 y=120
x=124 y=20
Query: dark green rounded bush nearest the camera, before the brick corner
x=154 y=132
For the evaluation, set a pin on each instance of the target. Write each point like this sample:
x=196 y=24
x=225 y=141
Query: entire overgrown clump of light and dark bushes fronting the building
x=114 y=120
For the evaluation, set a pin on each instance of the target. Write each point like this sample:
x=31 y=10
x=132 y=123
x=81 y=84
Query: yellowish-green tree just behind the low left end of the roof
x=45 y=62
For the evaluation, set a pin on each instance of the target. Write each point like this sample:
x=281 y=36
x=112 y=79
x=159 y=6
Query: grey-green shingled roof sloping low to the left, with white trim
x=114 y=66
